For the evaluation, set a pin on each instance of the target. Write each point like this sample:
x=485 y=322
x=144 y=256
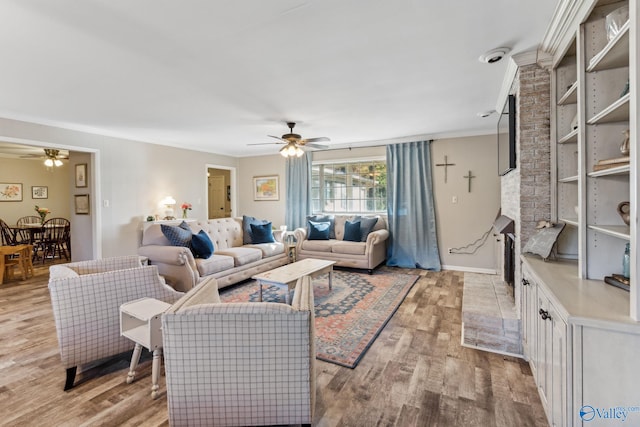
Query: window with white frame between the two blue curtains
x=358 y=186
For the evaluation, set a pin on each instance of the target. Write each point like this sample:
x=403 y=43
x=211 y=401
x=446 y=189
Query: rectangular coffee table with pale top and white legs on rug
x=287 y=275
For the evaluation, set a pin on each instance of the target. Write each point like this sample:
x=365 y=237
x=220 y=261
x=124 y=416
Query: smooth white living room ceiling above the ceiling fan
x=216 y=75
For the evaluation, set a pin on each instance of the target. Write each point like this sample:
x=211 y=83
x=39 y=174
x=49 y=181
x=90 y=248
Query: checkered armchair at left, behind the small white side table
x=86 y=298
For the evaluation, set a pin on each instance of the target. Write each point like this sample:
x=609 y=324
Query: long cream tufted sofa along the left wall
x=231 y=262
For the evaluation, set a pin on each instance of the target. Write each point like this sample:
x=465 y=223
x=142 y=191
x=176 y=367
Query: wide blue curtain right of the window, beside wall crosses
x=410 y=207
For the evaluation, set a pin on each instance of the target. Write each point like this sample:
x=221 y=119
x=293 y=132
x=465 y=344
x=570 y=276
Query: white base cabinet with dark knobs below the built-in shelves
x=583 y=352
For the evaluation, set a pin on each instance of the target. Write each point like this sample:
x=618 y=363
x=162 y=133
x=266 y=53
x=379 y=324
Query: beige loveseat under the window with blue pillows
x=365 y=255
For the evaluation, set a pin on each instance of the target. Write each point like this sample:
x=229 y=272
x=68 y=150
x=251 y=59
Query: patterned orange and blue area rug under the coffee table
x=349 y=317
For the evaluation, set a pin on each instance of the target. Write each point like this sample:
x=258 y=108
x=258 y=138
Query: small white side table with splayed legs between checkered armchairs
x=140 y=321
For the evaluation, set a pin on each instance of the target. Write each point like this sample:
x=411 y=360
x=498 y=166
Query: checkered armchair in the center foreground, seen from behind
x=239 y=364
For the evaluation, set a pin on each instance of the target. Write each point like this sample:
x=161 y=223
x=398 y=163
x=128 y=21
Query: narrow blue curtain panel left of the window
x=298 y=204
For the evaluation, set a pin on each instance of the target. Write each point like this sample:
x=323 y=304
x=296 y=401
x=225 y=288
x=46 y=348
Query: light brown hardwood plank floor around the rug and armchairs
x=415 y=374
